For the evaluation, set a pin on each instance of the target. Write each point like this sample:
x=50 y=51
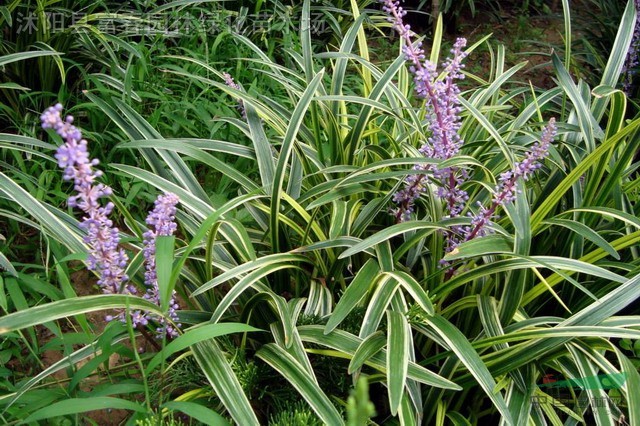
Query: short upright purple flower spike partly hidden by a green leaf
x=162 y=222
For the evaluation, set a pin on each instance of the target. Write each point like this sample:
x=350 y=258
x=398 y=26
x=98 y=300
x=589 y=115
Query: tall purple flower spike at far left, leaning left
x=102 y=237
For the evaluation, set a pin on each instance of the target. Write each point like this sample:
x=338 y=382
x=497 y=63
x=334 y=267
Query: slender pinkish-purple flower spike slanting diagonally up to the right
x=507 y=183
